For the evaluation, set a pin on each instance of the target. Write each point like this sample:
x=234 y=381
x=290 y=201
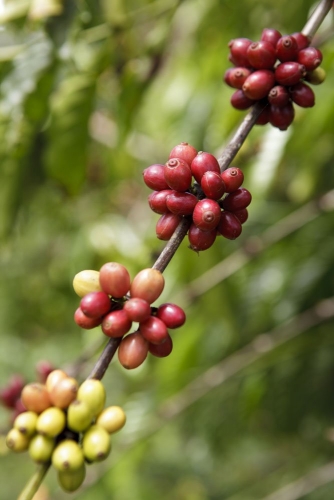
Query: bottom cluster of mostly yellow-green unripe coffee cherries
x=66 y=425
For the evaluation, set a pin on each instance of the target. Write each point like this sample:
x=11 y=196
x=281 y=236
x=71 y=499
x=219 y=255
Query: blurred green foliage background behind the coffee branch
x=91 y=93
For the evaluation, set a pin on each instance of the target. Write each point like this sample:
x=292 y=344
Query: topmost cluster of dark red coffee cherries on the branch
x=274 y=70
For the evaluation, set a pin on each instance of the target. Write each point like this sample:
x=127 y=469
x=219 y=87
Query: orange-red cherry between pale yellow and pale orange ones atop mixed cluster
x=114 y=279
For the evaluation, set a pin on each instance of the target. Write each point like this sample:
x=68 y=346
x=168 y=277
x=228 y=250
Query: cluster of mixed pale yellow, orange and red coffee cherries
x=112 y=300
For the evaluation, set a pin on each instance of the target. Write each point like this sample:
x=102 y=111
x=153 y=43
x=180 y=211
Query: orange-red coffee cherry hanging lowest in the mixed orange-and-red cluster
x=132 y=351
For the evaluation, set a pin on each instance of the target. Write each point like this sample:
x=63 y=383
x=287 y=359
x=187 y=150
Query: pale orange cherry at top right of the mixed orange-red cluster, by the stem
x=148 y=284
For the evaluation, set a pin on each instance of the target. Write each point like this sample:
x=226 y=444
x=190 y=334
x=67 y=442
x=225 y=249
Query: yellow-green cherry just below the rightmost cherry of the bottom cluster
x=96 y=444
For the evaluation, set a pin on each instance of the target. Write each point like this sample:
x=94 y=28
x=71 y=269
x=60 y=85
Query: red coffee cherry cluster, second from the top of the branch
x=190 y=184
